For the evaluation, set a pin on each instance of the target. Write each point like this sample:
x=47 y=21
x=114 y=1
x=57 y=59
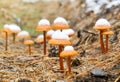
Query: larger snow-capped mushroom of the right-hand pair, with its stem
x=101 y=25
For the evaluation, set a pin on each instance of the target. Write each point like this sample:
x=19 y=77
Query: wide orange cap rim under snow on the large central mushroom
x=59 y=42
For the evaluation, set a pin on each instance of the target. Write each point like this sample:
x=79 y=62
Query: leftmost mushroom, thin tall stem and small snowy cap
x=7 y=31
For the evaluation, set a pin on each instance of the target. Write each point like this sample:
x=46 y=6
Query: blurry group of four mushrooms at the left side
x=15 y=30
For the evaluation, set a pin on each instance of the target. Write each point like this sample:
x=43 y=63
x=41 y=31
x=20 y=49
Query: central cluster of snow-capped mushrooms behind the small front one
x=59 y=37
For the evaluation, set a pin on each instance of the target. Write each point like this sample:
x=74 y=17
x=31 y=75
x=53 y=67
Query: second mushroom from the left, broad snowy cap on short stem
x=14 y=30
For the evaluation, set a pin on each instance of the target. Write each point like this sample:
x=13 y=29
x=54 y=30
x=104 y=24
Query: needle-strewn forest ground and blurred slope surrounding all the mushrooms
x=16 y=63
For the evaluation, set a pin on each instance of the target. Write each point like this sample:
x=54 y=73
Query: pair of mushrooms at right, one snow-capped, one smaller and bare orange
x=104 y=27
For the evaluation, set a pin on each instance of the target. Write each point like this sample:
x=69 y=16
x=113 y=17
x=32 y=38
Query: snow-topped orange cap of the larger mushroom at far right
x=102 y=24
